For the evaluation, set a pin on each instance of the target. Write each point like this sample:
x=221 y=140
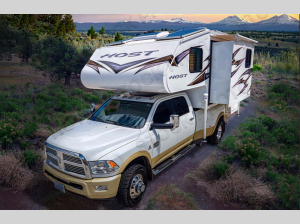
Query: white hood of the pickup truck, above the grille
x=93 y=139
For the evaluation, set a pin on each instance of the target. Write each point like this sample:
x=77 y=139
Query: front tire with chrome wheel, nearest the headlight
x=129 y=186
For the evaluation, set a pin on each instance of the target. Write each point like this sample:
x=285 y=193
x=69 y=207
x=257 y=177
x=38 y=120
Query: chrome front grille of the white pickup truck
x=68 y=162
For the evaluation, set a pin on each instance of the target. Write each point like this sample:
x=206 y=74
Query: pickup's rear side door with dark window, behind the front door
x=187 y=119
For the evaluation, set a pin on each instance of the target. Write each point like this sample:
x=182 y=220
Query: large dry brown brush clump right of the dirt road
x=235 y=186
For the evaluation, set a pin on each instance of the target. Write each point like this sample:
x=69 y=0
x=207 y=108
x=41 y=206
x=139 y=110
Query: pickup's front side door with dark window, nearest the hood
x=163 y=140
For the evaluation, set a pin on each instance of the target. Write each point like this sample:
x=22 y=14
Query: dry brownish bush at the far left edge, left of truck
x=13 y=173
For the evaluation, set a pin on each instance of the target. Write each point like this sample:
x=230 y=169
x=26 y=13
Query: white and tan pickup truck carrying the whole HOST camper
x=134 y=136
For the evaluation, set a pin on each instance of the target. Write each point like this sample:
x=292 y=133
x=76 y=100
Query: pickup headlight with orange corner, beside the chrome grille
x=103 y=167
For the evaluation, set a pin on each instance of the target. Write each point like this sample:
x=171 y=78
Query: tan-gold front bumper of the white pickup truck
x=84 y=187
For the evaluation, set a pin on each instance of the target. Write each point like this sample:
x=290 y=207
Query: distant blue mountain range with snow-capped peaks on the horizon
x=276 y=23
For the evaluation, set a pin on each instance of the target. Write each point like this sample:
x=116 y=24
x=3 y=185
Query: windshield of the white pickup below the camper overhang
x=124 y=113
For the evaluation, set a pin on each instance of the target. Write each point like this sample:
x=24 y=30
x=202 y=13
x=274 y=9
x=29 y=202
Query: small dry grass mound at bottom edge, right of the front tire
x=170 y=197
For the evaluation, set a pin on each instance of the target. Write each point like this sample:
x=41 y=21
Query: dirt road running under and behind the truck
x=45 y=196
